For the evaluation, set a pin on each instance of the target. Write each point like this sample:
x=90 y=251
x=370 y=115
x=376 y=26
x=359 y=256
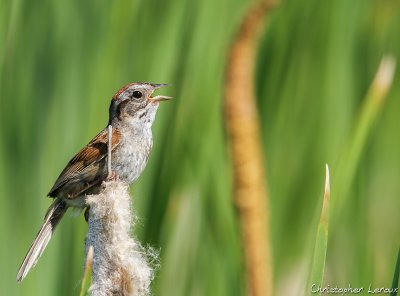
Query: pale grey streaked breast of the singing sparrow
x=130 y=157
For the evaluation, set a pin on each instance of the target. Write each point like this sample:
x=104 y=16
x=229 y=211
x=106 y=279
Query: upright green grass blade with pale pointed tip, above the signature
x=321 y=242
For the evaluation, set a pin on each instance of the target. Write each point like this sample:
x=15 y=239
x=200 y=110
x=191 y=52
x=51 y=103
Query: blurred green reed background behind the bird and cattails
x=60 y=63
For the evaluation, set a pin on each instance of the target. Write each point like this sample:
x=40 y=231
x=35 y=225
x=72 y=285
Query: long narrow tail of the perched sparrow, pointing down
x=54 y=214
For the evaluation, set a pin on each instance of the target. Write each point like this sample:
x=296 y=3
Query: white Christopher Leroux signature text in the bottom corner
x=315 y=288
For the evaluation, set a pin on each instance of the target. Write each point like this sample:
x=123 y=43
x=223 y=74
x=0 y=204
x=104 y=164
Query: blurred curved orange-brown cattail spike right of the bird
x=244 y=131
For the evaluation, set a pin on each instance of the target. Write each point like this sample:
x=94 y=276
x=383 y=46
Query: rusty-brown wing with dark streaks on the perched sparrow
x=85 y=160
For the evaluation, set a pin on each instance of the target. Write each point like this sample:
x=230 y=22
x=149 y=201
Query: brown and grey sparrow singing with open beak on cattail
x=131 y=114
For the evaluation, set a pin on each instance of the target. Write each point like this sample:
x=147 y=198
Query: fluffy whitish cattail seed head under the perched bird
x=120 y=265
